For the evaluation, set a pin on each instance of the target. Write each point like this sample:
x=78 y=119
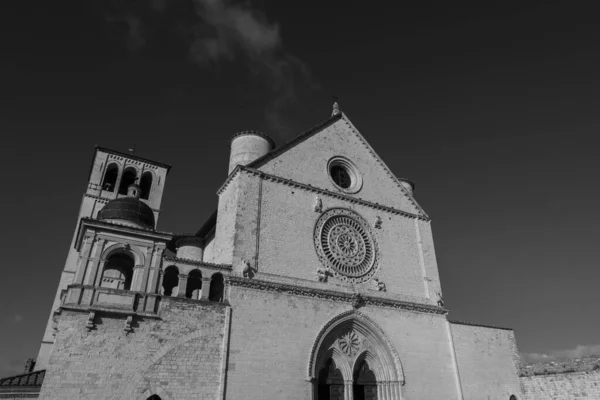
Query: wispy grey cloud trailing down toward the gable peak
x=245 y=32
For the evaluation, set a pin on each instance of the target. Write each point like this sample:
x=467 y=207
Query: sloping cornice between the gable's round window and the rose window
x=324 y=192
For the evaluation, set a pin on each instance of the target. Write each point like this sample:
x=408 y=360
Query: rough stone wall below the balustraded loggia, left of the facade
x=179 y=356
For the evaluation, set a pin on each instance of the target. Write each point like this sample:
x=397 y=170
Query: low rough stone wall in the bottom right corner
x=566 y=380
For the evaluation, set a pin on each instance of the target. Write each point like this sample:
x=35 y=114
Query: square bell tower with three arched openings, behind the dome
x=111 y=174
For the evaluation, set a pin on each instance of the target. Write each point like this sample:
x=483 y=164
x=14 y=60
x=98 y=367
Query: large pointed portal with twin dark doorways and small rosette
x=352 y=359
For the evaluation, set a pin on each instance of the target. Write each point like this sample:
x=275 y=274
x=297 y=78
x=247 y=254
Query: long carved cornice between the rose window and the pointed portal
x=351 y=298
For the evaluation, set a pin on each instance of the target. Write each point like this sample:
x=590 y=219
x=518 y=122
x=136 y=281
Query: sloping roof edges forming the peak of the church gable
x=320 y=127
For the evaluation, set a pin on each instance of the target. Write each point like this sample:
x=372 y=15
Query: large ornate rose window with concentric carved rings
x=345 y=245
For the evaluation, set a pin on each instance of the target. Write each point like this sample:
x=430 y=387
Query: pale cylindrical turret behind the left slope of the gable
x=247 y=146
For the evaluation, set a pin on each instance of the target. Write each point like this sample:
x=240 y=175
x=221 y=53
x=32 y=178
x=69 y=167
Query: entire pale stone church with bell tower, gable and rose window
x=315 y=278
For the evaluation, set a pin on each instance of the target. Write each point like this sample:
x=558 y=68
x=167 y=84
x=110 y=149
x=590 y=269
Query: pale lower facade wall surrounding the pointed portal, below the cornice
x=271 y=345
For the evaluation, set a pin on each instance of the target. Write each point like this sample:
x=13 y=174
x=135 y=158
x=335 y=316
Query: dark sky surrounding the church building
x=491 y=110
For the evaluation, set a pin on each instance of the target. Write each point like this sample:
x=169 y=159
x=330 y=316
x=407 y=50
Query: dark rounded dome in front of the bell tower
x=129 y=211
